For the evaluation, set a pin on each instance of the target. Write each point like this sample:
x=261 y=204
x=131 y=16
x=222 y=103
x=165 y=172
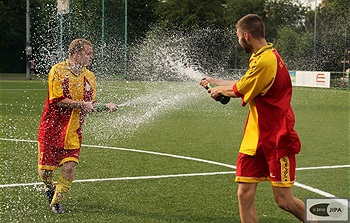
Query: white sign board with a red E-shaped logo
x=313 y=79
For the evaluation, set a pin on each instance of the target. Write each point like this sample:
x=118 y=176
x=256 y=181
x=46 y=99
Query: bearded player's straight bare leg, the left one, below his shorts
x=246 y=194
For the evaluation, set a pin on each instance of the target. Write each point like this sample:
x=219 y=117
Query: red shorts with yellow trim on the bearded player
x=253 y=169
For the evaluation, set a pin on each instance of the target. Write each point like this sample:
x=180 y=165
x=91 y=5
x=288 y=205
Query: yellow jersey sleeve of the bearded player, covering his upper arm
x=258 y=79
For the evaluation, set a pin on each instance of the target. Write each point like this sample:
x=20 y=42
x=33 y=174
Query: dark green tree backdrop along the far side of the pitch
x=281 y=17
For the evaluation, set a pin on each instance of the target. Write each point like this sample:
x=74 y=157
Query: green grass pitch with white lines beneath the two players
x=168 y=156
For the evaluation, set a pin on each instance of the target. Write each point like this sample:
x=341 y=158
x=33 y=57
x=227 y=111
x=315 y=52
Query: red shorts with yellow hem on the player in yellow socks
x=50 y=158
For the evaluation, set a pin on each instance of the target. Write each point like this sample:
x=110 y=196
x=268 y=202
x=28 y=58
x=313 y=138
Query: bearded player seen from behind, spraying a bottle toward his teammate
x=269 y=143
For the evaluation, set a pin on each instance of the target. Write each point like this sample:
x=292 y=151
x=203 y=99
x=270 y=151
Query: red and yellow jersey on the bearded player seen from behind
x=267 y=88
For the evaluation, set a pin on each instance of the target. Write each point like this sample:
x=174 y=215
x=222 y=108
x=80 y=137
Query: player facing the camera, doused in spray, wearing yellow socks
x=71 y=96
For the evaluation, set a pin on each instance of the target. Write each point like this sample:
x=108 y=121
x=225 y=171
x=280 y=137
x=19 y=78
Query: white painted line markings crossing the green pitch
x=312 y=189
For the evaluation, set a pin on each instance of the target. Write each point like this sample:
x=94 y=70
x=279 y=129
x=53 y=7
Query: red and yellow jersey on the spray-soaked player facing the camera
x=61 y=127
